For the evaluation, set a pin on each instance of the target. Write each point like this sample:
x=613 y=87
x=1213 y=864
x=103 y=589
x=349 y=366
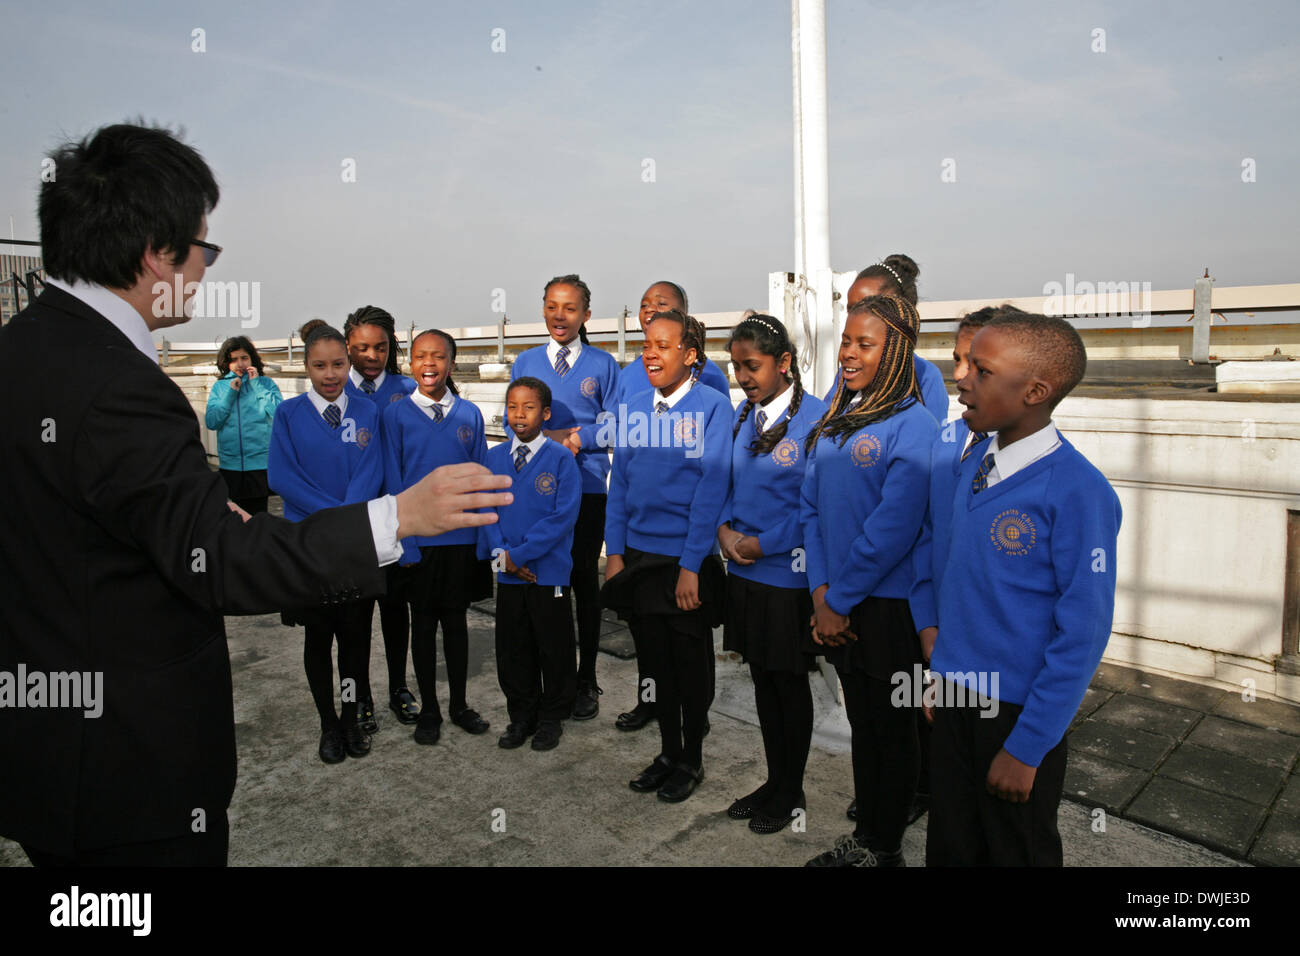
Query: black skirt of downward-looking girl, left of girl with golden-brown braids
x=768 y=625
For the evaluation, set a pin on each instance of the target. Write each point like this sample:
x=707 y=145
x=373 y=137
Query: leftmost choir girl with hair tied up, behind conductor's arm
x=324 y=453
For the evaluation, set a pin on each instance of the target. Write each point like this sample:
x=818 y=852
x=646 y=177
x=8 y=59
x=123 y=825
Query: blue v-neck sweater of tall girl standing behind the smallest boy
x=590 y=388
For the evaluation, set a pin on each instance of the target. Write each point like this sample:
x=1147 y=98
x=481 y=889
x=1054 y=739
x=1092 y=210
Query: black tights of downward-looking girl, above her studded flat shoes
x=786 y=720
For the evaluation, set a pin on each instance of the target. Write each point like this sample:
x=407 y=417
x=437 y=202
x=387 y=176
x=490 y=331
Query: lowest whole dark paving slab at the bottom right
x=1221 y=823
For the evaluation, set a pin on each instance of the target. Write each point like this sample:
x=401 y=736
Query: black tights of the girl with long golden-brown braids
x=886 y=760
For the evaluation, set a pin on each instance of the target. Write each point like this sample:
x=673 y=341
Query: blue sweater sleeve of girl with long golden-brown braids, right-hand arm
x=890 y=533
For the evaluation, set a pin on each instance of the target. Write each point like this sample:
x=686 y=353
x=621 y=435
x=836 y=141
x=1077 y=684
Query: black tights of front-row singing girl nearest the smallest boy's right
x=677 y=652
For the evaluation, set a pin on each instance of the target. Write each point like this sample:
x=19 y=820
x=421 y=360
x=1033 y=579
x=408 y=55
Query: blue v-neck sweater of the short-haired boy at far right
x=1029 y=592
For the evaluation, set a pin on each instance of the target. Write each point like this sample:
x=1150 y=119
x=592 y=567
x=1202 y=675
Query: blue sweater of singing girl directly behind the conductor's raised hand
x=414 y=445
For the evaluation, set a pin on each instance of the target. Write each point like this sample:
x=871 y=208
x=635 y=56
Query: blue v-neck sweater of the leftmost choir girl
x=313 y=466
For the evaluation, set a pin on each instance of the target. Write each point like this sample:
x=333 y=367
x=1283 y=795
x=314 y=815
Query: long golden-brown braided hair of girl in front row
x=895 y=383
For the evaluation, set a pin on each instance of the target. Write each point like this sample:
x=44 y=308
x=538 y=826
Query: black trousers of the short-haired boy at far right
x=969 y=827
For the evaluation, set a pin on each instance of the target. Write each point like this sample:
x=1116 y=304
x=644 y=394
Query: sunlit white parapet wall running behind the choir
x=1206 y=487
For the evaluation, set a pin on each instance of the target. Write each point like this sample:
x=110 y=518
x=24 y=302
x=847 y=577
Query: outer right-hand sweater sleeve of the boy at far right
x=1085 y=529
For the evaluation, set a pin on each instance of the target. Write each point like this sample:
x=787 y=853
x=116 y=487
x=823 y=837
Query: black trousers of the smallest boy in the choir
x=535 y=652
